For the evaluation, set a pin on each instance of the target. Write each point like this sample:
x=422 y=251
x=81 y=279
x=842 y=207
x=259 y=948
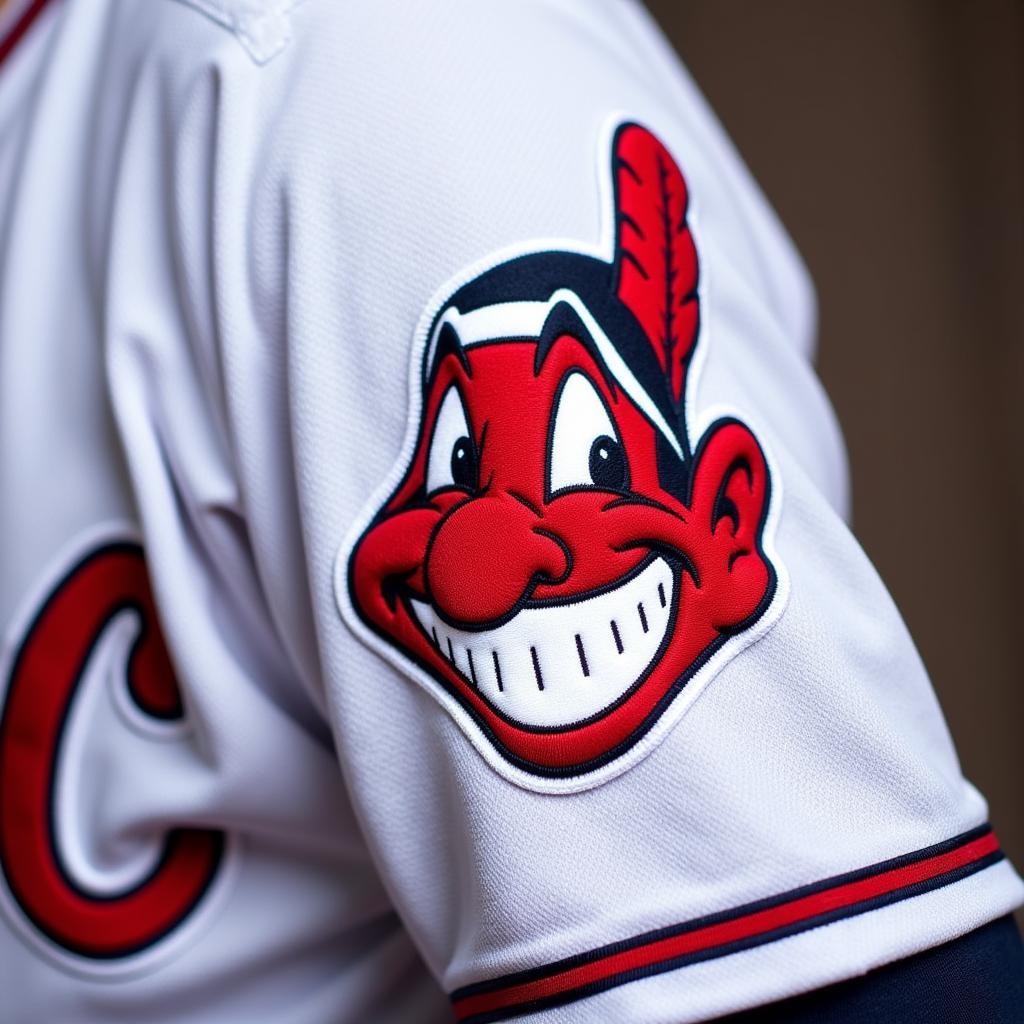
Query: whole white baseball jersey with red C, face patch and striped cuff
x=424 y=578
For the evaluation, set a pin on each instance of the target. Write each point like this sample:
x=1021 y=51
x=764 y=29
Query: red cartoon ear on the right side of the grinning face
x=731 y=496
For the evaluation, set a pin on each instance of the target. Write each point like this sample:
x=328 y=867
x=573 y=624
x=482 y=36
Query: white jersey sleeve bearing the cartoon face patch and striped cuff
x=548 y=503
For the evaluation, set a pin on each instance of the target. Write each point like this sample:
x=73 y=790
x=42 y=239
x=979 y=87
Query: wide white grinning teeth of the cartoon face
x=557 y=665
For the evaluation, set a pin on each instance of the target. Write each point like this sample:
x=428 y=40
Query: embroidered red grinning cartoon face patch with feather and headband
x=557 y=563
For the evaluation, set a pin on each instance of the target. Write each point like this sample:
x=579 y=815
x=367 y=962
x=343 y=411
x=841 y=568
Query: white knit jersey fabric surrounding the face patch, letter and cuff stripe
x=219 y=234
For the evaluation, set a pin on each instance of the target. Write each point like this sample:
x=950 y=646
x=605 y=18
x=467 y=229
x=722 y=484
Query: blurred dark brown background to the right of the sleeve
x=889 y=136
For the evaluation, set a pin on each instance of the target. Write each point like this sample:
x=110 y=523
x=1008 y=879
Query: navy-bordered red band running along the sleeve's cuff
x=500 y=1002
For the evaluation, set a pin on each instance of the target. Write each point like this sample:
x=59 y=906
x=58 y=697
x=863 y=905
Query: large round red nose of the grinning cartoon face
x=487 y=554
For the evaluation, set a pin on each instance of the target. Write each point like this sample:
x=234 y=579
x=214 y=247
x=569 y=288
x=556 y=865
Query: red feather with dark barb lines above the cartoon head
x=656 y=262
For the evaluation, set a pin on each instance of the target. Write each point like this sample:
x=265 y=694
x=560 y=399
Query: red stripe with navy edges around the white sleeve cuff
x=743 y=928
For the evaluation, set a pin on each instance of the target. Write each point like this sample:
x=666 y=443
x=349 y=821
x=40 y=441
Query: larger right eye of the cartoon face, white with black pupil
x=586 y=451
